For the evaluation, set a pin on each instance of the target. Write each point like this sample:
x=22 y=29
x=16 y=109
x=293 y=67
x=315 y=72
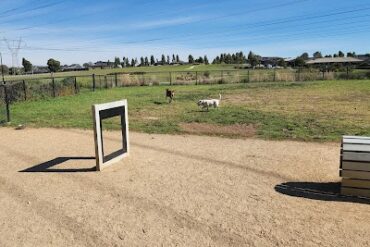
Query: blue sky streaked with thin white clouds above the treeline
x=83 y=31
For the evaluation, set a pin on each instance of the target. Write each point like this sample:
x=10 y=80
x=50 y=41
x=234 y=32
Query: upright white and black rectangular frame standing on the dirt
x=105 y=111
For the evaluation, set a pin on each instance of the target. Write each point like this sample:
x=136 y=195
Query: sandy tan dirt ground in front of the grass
x=173 y=191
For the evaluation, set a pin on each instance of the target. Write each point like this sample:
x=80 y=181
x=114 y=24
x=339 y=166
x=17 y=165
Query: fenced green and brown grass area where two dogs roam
x=302 y=111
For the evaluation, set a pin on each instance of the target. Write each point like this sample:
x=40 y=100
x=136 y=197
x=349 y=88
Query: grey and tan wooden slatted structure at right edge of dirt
x=355 y=166
